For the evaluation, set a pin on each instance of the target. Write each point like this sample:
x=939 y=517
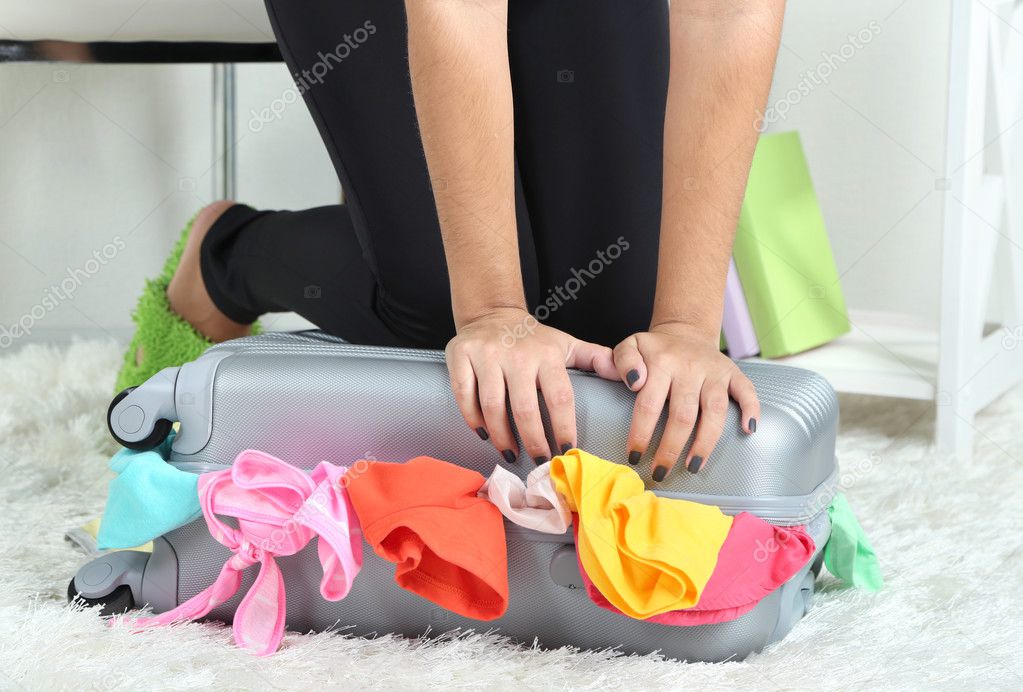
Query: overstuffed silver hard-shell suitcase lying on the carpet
x=306 y=398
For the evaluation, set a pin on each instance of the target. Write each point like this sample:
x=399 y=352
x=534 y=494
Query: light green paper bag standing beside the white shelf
x=783 y=254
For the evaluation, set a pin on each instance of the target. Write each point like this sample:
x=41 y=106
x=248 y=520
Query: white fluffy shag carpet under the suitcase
x=948 y=535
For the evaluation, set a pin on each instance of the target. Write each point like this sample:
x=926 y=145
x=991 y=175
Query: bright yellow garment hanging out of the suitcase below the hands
x=647 y=555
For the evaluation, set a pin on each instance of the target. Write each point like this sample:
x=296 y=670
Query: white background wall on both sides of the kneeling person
x=90 y=155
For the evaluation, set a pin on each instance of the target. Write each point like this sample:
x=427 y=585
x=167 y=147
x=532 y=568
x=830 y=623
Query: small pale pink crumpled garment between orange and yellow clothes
x=536 y=504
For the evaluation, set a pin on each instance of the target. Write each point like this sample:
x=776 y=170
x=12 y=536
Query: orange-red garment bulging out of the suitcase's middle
x=448 y=544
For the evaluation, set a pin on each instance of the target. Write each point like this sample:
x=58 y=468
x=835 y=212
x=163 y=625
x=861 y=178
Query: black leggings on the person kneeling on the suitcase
x=590 y=81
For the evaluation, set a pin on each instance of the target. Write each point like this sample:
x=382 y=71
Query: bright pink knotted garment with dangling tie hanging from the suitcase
x=280 y=510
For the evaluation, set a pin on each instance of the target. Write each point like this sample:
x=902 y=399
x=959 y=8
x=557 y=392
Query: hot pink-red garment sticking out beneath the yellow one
x=755 y=559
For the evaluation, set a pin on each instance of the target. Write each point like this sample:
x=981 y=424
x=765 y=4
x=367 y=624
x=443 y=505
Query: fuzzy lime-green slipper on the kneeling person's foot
x=166 y=339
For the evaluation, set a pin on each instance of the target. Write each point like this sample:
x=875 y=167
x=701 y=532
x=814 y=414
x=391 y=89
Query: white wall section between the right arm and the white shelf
x=875 y=141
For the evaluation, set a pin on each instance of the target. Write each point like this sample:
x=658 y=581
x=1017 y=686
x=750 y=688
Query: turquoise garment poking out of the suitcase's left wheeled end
x=148 y=499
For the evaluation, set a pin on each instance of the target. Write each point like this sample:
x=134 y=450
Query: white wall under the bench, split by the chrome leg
x=118 y=158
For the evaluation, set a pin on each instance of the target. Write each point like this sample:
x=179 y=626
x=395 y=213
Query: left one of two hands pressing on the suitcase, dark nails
x=508 y=352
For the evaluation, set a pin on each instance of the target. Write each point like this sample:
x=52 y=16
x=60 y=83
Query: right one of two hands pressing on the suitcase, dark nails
x=682 y=365
